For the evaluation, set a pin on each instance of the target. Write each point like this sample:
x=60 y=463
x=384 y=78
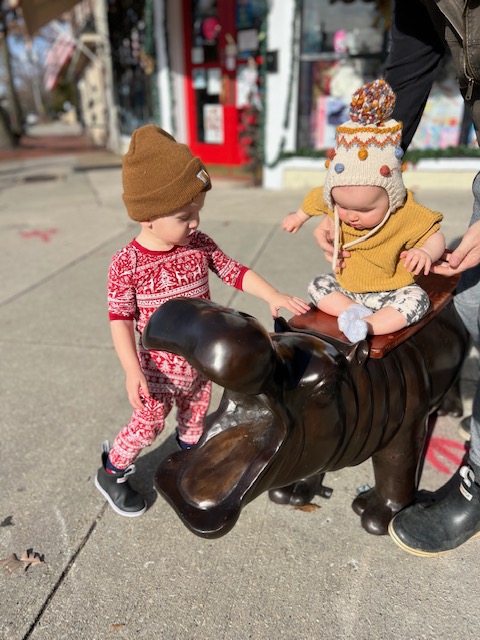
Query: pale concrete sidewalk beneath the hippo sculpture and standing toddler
x=281 y=572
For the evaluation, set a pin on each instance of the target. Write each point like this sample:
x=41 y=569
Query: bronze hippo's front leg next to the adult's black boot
x=395 y=468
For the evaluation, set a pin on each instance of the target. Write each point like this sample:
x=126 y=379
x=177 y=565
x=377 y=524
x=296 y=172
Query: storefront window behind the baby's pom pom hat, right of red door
x=342 y=47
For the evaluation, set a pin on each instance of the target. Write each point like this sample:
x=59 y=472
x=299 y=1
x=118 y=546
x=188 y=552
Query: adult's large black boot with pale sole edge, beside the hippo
x=432 y=528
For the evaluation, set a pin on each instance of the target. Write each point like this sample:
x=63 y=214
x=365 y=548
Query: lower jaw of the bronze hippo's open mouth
x=208 y=486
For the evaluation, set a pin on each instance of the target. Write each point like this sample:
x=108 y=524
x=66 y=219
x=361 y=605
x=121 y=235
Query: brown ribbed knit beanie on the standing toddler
x=159 y=174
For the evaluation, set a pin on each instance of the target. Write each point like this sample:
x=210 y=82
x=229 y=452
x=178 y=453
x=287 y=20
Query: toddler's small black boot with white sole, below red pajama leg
x=117 y=490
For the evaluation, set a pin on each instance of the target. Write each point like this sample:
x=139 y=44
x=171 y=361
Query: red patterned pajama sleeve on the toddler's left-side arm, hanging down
x=121 y=290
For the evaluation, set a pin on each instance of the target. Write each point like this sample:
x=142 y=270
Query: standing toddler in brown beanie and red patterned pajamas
x=164 y=190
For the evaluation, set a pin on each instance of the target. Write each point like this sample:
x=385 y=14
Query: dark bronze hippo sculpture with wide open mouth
x=296 y=405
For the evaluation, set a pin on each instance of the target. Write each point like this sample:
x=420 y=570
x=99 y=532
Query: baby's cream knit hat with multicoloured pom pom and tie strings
x=368 y=151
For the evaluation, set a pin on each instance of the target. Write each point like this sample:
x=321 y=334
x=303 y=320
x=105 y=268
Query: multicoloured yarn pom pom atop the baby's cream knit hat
x=373 y=103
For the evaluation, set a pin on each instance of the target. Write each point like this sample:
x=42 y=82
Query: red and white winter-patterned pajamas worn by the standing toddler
x=139 y=282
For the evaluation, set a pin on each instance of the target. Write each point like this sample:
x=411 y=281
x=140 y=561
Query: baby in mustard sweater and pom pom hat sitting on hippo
x=383 y=237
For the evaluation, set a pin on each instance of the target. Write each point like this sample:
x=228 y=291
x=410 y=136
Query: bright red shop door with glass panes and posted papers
x=222 y=39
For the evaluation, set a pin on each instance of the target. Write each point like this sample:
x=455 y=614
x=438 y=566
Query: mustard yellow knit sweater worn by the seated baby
x=375 y=265
